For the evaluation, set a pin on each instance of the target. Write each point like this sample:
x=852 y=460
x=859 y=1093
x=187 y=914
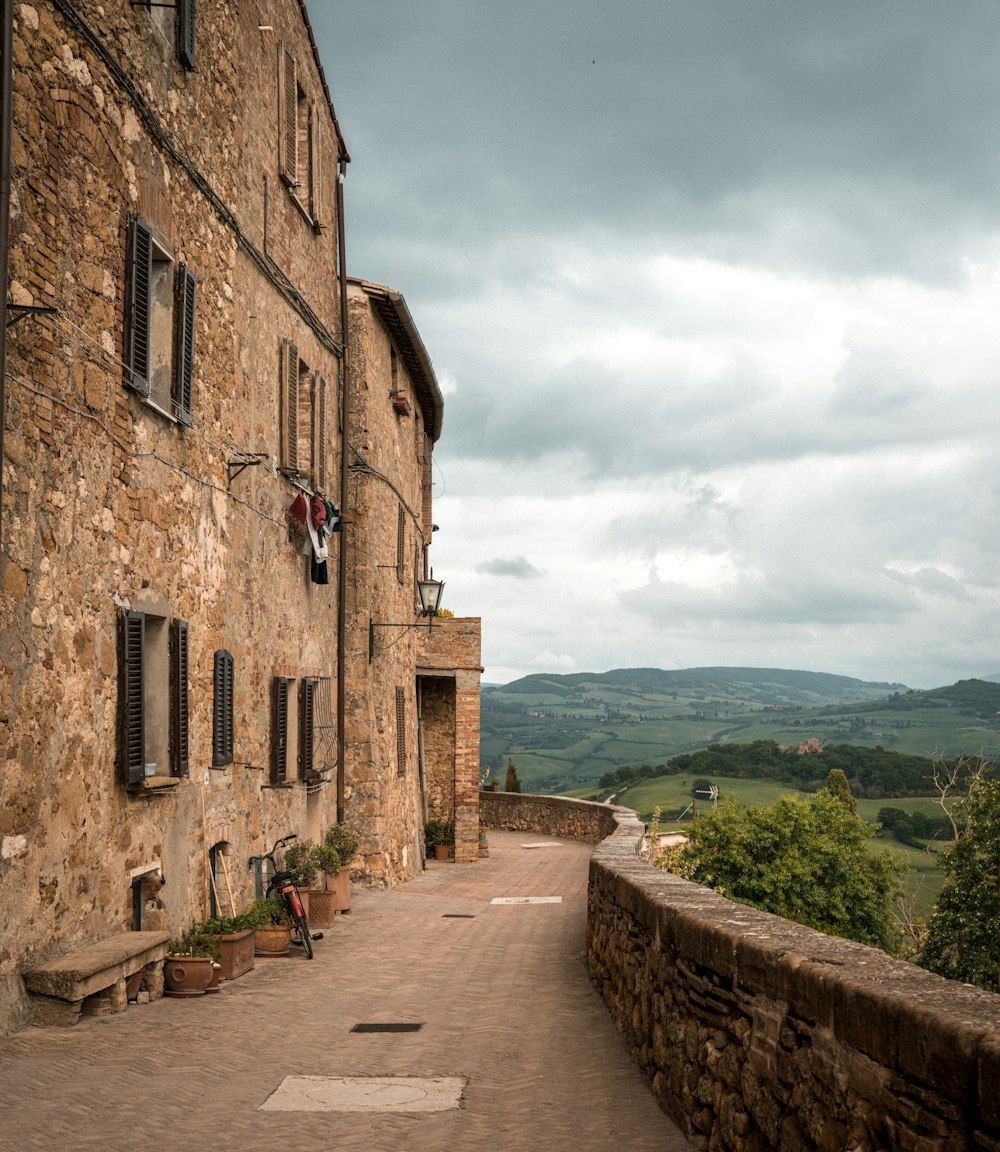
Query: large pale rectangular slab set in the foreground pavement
x=367 y=1094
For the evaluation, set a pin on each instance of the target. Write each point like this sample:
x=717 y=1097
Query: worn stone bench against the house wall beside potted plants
x=92 y=980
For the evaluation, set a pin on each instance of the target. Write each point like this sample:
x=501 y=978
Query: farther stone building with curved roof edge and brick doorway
x=413 y=738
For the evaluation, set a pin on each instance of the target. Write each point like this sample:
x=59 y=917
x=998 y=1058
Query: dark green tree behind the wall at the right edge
x=964 y=936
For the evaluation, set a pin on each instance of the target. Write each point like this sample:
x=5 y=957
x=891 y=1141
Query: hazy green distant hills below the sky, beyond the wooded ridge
x=565 y=732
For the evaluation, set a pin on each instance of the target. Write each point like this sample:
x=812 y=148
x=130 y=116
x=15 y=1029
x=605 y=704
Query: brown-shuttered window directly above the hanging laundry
x=306 y=404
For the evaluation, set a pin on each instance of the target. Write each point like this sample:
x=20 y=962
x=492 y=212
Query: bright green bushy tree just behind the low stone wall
x=808 y=861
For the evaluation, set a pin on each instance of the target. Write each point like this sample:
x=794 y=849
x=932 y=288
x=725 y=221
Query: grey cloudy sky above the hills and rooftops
x=713 y=290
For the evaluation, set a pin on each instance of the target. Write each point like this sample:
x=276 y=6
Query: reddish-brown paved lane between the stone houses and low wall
x=501 y=991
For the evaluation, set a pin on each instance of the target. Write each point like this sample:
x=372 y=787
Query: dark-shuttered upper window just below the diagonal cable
x=160 y=324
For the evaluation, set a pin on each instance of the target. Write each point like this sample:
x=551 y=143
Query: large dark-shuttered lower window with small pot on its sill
x=154 y=678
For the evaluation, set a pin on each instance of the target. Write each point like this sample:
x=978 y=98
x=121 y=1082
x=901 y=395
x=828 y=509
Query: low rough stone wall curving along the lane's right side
x=760 y=1034
